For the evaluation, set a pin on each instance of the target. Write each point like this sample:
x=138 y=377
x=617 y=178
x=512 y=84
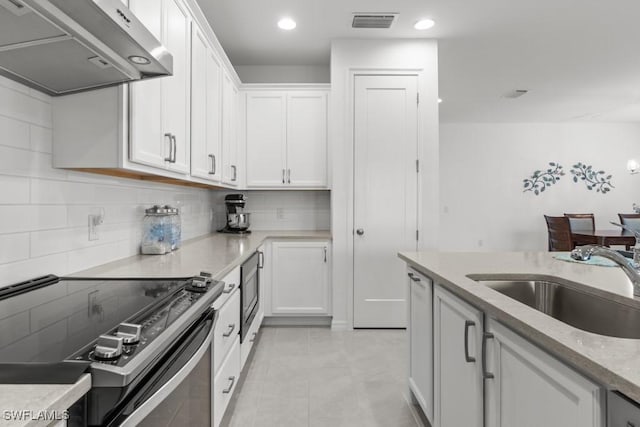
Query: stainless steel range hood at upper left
x=66 y=46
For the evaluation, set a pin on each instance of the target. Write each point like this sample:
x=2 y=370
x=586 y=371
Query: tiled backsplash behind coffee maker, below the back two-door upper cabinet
x=281 y=210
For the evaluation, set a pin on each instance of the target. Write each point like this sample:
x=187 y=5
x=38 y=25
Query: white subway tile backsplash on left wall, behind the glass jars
x=44 y=211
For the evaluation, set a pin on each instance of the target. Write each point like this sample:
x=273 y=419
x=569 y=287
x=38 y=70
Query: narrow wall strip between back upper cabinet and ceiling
x=283 y=73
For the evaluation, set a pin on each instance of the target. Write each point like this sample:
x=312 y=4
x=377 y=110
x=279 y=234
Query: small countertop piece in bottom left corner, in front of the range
x=39 y=401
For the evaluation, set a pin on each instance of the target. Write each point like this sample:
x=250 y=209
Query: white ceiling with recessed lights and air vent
x=579 y=59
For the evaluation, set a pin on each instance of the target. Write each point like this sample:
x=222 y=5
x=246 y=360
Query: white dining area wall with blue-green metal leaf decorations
x=482 y=167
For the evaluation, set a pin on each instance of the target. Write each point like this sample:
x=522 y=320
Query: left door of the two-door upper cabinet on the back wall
x=266 y=139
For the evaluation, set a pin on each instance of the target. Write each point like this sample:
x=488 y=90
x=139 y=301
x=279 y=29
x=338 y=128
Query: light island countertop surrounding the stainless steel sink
x=612 y=362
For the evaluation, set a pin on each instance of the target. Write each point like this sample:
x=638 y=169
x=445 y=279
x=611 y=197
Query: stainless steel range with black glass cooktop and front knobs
x=147 y=343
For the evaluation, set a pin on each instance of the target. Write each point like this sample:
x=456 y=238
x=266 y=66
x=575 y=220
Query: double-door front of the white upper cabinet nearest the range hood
x=160 y=109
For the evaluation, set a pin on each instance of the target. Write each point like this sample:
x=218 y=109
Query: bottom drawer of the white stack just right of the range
x=224 y=383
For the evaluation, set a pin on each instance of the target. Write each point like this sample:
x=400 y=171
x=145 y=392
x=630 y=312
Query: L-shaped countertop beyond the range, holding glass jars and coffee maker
x=216 y=253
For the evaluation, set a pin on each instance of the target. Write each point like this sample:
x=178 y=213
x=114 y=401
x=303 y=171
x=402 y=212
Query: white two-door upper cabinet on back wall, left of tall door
x=286 y=139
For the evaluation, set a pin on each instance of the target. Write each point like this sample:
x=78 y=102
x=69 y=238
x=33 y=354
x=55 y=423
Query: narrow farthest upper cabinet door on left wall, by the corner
x=229 y=131
